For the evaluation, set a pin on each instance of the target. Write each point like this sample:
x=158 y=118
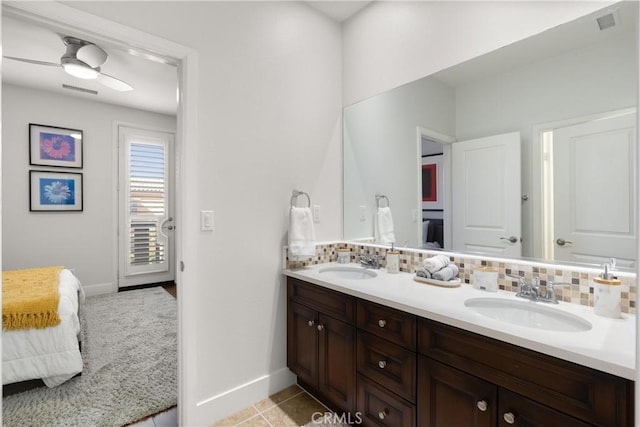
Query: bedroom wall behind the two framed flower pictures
x=81 y=240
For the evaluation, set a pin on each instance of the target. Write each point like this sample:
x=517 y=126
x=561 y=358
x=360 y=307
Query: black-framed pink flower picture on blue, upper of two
x=55 y=146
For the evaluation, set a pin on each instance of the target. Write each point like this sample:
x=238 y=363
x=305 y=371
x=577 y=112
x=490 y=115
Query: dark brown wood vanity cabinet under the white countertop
x=396 y=369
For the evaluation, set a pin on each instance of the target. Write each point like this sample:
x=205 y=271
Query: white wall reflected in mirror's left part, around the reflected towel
x=381 y=154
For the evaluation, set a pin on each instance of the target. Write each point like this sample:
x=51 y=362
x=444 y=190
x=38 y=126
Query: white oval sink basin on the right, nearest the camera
x=528 y=314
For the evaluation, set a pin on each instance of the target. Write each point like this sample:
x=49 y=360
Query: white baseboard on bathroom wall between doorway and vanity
x=233 y=400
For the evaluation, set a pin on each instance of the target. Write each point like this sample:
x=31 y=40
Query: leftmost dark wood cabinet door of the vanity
x=302 y=342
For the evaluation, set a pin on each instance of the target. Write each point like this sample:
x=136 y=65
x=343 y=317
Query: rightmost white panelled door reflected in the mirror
x=594 y=203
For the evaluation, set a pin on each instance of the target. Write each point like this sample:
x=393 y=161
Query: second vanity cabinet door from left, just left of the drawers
x=336 y=361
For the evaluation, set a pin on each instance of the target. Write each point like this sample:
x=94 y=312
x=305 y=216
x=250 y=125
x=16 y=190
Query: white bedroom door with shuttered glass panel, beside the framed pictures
x=146 y=227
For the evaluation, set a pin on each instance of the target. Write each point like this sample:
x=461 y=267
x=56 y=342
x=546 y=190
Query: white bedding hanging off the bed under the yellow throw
x=52 y=354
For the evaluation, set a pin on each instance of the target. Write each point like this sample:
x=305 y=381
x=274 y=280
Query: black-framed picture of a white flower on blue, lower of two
x=55 y=191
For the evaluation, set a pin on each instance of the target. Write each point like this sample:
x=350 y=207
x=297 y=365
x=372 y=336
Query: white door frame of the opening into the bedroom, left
x=186 y=147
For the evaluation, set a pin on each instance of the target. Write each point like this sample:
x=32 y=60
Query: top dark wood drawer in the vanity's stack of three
x=389 y=323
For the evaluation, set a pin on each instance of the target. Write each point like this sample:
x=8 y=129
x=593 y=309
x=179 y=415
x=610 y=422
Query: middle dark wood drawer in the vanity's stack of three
x=388 y=364
